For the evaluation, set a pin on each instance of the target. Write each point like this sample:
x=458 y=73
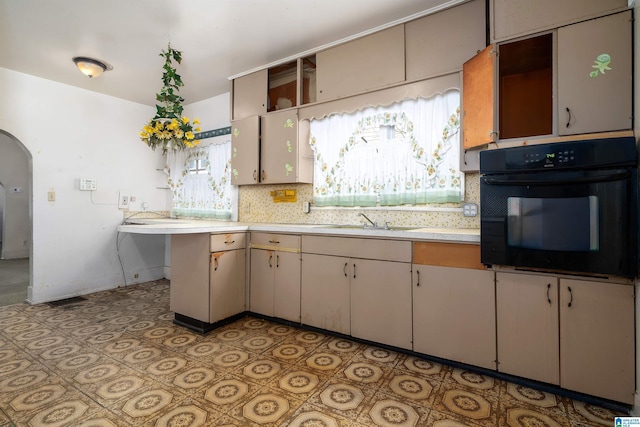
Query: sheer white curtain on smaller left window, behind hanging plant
x=208 y=194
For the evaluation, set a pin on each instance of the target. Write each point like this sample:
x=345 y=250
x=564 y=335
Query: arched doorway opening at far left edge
x=15 y=220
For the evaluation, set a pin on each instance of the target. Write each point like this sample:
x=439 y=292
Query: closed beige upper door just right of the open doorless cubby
x=371 y=62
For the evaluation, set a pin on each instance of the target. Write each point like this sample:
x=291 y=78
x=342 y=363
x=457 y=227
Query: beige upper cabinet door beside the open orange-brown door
x=429 y=54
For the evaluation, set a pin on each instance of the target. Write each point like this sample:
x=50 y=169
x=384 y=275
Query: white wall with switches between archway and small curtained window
x=73 y=133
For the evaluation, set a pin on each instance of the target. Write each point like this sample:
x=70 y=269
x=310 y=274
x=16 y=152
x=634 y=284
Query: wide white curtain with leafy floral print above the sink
x=406 y=153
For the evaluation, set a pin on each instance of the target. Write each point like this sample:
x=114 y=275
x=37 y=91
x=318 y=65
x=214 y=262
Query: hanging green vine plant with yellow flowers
x=169 y=129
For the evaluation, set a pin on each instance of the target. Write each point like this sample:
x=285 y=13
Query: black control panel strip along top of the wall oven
x=588 y=154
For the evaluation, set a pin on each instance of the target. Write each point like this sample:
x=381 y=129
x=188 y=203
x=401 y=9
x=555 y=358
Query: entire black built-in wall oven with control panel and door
x=567 y=207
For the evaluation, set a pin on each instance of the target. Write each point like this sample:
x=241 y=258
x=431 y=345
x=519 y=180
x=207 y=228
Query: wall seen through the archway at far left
x=14 y=174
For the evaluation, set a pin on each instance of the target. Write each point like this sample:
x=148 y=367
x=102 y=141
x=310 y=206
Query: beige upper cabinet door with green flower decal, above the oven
x=595 y=75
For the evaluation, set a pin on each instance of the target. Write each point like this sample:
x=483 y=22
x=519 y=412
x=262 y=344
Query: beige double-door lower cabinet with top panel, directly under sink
x=366 y=298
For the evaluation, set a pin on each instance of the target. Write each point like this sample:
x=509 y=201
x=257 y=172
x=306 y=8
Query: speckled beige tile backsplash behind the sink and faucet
x=255 y=204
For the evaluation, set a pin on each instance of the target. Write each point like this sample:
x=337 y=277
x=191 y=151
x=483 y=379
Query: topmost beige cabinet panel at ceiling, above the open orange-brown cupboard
x=515 y=18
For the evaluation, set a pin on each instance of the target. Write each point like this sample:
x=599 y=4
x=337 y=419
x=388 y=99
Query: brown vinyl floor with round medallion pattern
x=116 y=359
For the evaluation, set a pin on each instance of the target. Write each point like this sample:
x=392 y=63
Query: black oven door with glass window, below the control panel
x=574 y=221
